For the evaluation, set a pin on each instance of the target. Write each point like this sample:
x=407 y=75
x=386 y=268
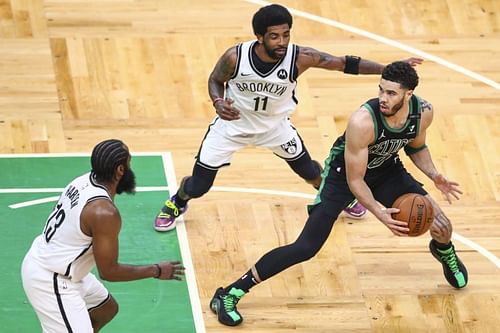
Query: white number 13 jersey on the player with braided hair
x=62 y=247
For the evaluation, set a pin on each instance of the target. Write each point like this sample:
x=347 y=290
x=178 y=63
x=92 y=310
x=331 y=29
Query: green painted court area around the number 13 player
x=147 y=305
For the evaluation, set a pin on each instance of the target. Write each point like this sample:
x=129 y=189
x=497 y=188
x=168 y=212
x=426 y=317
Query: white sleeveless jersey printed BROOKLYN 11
x=264 y=100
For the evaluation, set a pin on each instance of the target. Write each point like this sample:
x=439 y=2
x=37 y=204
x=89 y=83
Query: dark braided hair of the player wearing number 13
x=106 y=157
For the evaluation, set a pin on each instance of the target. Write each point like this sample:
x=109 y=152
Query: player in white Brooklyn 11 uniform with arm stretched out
x=252 y=88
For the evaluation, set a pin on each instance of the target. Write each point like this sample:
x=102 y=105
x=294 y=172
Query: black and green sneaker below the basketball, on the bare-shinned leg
x=453 y=268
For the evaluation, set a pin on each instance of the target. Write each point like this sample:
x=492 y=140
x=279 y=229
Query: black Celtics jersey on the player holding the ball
x=383 y=152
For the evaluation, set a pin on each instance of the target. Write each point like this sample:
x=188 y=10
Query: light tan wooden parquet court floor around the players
x=73 y=72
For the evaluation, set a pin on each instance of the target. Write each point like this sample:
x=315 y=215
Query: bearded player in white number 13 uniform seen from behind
x=80 y=233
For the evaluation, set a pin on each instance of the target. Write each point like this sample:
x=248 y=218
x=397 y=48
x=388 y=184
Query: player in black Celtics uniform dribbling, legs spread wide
x=364 y=163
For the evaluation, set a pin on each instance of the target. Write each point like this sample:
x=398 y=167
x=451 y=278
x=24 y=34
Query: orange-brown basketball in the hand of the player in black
x=416 y=210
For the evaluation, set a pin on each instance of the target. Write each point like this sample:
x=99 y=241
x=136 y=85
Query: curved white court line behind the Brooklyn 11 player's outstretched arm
x=387 y=41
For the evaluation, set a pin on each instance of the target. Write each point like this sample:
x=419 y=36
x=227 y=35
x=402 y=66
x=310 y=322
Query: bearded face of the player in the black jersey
x=391 y=97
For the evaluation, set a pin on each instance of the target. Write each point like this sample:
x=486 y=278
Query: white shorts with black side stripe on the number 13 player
x=59 y=303
